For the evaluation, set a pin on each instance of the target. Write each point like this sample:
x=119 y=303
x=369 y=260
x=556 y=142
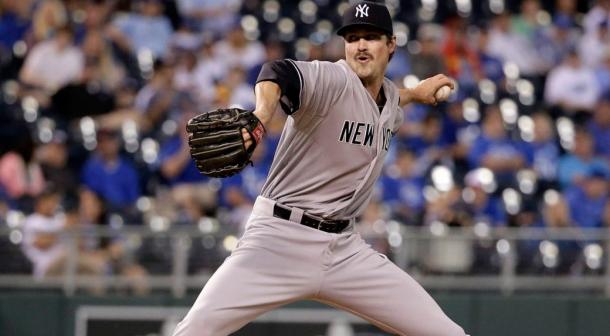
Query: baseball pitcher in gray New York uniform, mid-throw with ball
x=299 y=242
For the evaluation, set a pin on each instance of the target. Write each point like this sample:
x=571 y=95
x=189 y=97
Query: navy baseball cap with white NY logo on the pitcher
x=367 y=13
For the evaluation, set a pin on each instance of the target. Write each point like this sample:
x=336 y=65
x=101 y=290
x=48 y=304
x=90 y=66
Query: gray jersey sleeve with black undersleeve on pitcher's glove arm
x=311 y=86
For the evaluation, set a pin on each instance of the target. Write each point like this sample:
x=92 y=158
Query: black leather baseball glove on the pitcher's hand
x=217 y=145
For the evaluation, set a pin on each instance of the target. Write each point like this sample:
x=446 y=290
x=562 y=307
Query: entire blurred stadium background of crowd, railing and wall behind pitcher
x=497 y=201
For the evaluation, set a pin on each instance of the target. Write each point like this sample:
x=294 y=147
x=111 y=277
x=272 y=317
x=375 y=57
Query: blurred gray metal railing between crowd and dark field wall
x=476 y=258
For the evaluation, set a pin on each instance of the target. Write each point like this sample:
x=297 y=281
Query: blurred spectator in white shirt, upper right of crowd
x=571 y=87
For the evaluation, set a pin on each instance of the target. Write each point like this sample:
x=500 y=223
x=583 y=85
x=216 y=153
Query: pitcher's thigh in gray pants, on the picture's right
x=374 y=288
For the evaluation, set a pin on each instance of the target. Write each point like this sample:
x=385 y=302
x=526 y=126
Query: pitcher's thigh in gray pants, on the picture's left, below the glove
x=240 y=290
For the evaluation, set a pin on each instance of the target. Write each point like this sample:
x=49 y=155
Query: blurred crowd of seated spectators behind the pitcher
x=94 y=96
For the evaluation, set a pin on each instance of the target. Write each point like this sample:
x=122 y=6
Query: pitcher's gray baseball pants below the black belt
x=278 y=262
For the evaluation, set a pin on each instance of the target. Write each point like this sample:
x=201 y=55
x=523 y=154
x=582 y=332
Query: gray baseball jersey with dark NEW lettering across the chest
x=333 y=147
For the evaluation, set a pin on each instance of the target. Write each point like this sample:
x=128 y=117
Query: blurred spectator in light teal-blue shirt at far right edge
x=574 y=166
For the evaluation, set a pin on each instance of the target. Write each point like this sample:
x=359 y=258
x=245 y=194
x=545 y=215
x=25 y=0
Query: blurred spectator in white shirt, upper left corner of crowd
x=42 y=62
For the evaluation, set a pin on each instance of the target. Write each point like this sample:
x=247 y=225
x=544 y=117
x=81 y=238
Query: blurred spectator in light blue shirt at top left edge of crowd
x=142 y=31
